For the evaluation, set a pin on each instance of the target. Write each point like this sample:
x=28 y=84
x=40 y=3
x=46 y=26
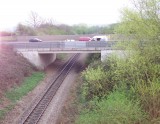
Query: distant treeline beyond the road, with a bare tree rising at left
x=37 y=25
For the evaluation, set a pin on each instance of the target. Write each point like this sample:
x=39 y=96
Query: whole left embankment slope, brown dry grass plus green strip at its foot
x=18 y=77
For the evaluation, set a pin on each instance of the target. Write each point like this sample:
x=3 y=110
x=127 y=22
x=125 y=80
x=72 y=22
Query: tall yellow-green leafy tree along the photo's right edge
x=143 y=22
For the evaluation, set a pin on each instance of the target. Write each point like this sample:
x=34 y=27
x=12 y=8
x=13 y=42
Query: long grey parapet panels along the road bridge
x=62 y=46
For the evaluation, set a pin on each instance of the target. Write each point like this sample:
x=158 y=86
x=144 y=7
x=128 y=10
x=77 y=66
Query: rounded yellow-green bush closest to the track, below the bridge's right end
x=94 y=83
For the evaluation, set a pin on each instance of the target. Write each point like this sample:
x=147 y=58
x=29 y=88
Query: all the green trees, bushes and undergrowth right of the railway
x=126 y=90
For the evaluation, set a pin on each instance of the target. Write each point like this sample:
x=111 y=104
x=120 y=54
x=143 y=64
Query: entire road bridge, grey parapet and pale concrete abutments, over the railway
x=41 y=54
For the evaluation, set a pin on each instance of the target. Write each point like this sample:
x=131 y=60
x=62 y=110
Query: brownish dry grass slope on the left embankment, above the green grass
x=13 y=69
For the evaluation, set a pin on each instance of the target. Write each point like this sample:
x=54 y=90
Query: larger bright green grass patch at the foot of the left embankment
x=29 y=84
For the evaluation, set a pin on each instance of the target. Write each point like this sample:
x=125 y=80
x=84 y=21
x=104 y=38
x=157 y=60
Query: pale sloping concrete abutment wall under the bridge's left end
x=41 y=61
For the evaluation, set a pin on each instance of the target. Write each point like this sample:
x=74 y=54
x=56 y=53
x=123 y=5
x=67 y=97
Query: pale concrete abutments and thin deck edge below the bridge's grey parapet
x=42 y=59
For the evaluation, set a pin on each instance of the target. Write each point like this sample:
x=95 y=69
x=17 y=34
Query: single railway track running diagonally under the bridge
x=36 y=111
